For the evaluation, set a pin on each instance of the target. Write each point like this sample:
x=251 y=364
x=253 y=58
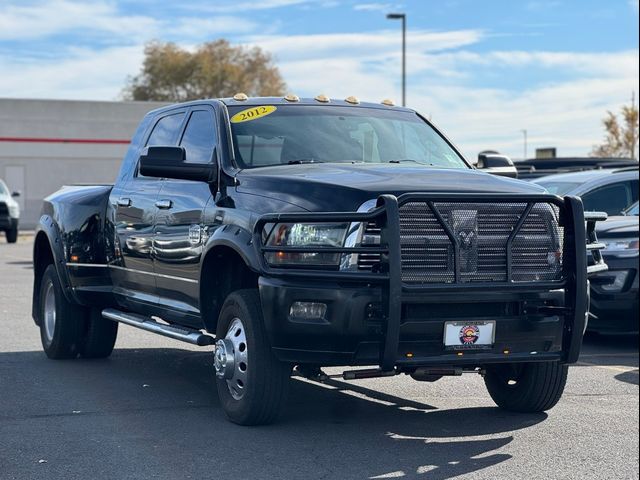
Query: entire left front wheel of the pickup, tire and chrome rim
x=252 y=383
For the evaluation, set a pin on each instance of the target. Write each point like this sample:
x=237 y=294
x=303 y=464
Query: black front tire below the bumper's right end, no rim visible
x=528 y=387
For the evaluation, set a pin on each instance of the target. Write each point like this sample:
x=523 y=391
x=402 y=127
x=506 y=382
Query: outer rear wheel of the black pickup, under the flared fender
x=59 y=337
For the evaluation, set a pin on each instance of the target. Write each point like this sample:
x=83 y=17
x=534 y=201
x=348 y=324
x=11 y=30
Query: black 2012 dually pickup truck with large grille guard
x=291 y=235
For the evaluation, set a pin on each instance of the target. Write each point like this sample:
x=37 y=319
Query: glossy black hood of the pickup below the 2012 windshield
x=344 y=187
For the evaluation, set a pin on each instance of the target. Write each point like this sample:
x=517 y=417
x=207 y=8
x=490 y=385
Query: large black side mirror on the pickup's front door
x=169 y=162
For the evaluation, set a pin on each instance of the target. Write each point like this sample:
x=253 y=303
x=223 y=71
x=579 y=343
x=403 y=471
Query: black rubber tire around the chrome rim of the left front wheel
x=267 y=379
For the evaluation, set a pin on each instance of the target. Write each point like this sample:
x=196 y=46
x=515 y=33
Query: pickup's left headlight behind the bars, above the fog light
x=305 y=235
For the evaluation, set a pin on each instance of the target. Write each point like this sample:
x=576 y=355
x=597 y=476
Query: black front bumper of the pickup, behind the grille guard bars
x=352 y=330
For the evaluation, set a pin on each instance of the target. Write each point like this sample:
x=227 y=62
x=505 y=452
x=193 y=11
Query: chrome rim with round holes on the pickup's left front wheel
x=231 y=359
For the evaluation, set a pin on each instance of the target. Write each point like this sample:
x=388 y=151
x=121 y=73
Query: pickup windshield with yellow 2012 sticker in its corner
x=289 y=134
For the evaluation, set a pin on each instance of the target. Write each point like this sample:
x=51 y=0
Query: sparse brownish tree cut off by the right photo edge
x=621 y=138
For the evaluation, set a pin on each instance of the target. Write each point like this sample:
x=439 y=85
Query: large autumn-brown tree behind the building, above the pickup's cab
x=215 y=69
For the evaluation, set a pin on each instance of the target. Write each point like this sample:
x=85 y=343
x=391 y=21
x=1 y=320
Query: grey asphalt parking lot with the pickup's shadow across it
x=151 y=411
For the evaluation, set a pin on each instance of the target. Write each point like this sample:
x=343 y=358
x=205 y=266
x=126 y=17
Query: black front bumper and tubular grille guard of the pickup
x=377 y=319
